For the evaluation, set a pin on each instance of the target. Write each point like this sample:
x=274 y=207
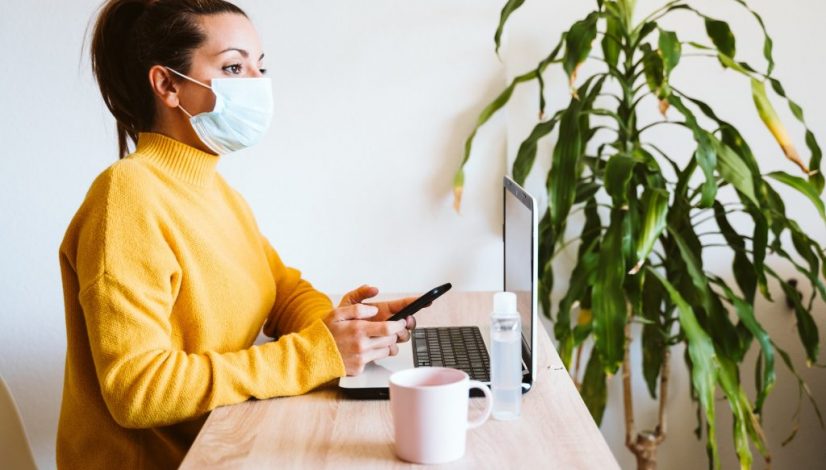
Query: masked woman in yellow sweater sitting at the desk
x=167 y=280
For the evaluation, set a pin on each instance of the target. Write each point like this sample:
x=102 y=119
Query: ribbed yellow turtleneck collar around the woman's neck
x=187 y=163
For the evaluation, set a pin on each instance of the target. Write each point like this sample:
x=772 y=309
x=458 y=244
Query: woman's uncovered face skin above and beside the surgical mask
x=232 y=49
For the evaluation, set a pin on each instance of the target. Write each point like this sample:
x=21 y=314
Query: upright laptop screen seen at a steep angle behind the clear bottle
x=518 y=237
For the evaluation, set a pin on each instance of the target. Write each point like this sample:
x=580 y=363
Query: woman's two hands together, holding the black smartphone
x=360 y=332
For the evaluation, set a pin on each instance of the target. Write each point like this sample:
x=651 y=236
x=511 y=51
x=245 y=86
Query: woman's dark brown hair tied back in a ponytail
x=130 y=37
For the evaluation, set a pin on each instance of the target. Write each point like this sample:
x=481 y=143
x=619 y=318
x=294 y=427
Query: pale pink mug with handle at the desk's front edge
x=430 y=413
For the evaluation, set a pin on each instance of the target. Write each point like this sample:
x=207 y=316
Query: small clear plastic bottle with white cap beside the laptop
x=506 y=357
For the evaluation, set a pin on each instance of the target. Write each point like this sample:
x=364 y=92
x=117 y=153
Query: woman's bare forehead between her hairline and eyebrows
x=229 y=31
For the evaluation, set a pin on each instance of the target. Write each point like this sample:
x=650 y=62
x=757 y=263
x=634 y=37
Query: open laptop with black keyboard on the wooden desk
x=467 y=347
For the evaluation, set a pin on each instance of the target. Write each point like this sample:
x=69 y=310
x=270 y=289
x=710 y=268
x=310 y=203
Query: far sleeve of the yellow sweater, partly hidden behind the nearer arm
x=297 y=304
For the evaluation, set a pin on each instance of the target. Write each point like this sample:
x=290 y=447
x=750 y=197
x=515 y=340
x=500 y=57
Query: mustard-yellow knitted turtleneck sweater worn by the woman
x=167 y=281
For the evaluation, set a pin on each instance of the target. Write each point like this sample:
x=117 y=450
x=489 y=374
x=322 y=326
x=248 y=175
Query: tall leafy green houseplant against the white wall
x=649 y=216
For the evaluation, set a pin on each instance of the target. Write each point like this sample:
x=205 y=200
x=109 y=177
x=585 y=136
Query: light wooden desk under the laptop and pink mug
x=325 y=430
